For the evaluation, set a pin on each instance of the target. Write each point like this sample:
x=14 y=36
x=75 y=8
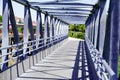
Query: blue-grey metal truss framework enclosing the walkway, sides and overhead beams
x=101 y=37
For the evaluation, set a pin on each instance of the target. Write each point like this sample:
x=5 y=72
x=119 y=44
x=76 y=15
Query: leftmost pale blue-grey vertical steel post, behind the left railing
x=5 y=36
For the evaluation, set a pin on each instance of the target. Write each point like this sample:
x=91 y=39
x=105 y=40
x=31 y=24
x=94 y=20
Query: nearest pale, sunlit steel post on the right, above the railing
x=102 y=26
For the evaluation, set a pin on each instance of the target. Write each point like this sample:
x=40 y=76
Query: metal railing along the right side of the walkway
x=103 y=70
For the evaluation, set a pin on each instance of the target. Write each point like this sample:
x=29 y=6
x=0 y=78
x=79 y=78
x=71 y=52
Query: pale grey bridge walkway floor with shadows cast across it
x=65 y=63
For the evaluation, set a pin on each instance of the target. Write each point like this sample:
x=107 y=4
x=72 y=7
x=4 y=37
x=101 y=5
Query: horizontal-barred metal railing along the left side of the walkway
x=33 y=47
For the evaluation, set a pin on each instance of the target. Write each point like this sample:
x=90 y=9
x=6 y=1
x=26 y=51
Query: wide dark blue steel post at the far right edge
x=114 y=11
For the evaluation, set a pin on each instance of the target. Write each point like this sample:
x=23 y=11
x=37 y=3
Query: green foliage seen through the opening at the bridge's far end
x=77 y=31
